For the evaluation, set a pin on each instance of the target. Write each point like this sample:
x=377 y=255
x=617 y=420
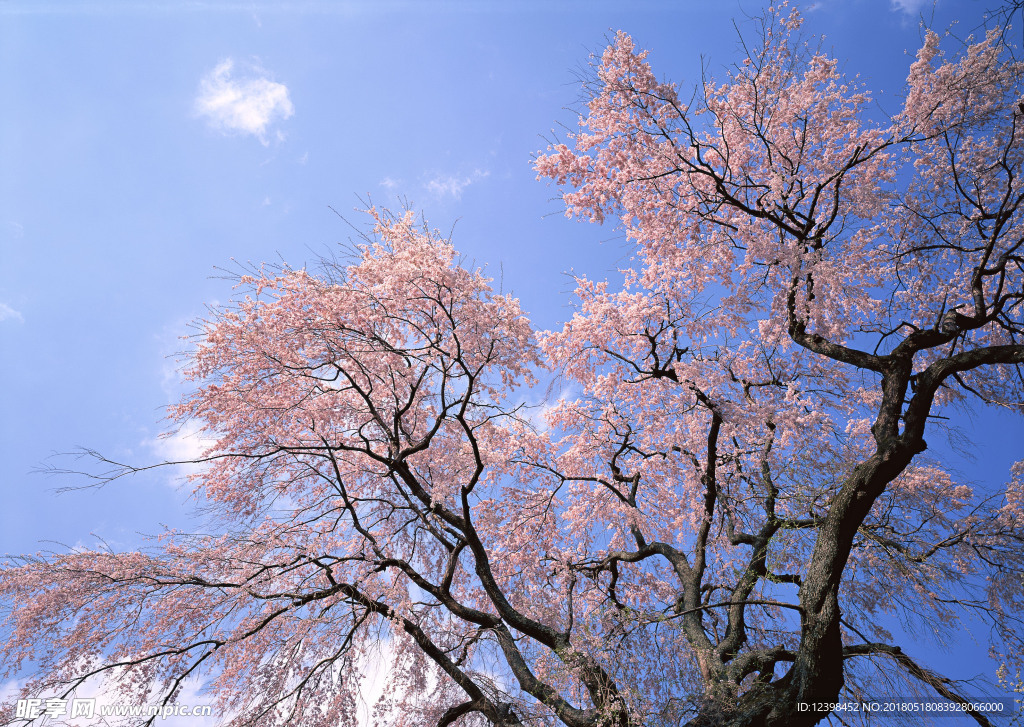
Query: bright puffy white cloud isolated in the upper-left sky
x=246 y=103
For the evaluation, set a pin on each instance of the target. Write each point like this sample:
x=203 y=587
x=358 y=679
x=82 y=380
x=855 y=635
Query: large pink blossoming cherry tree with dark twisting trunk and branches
x=716 y=522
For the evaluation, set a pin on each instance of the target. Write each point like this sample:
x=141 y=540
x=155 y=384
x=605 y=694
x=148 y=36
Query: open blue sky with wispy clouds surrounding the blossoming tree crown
x=145 y=145
